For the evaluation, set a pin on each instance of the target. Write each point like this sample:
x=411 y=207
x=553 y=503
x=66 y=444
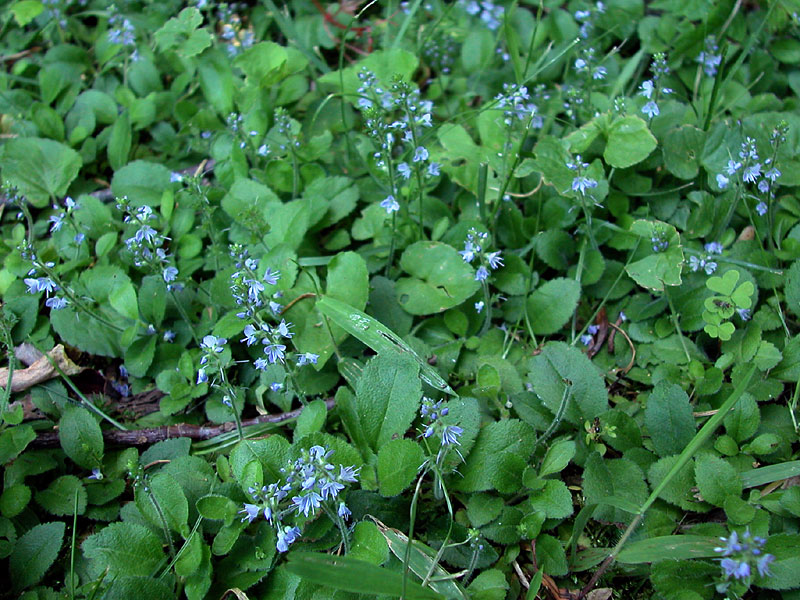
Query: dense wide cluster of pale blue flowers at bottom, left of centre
x=308 y=485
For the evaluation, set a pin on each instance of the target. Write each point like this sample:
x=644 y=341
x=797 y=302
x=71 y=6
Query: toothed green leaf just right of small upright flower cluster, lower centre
x=509 y=435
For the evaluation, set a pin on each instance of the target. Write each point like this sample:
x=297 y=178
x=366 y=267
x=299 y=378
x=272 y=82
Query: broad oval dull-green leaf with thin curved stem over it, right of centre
x=562 y=372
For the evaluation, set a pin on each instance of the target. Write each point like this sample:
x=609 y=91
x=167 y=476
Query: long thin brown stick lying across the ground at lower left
x=144 y=437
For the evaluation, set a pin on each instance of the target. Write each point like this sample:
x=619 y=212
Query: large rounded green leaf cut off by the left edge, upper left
x=40 y=168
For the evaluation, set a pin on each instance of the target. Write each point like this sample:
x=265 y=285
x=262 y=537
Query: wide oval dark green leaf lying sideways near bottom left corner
x=125 y=549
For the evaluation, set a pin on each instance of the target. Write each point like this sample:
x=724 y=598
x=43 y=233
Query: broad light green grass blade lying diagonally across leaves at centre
x=378 y=337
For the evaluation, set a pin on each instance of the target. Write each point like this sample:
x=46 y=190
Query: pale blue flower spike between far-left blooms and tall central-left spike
x=146 y=244
